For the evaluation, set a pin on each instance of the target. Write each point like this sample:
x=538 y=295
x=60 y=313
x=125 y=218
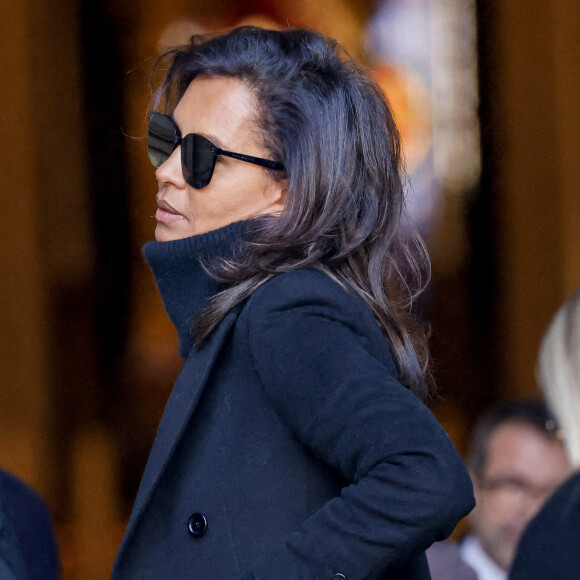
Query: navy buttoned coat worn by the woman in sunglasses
x=299 y=453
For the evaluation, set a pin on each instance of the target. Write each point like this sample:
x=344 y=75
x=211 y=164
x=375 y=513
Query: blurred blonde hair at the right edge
x=559 y=372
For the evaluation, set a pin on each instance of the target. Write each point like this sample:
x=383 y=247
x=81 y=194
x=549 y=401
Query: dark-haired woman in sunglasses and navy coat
x=294 y=443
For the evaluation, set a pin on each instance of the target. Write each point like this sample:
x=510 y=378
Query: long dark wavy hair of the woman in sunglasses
x=330 y=125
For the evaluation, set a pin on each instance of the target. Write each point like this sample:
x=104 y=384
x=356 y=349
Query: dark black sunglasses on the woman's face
x=198 y=154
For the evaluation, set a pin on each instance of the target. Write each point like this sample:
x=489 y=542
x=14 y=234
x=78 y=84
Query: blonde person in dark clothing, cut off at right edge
x=549 y=547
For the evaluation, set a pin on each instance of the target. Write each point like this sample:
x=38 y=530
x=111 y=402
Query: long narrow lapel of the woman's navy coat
x=180 y=407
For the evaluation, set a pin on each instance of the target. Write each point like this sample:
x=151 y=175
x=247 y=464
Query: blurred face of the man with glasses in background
x=523 y=467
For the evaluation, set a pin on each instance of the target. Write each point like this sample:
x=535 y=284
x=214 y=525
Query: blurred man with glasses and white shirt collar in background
x=516 y=461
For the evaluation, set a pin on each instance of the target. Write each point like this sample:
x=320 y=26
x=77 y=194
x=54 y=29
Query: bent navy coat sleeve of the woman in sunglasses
x=408 y=488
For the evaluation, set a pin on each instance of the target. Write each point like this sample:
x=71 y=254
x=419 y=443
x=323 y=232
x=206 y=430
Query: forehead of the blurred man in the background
x=522 y=450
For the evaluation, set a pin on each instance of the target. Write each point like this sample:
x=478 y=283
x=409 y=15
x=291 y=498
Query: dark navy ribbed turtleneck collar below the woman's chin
x=184 y=284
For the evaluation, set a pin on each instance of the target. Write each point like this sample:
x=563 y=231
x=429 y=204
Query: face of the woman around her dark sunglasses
x=223 y=111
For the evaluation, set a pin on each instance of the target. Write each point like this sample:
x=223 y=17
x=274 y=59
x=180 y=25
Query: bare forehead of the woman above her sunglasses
x=220 y=108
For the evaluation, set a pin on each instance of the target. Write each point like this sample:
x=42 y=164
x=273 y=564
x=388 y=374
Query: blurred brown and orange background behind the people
x=487 y=95
